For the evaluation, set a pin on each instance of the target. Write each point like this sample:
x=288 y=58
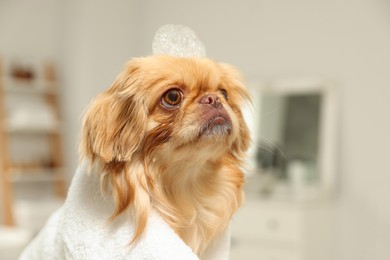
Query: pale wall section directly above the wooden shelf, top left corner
x=29 y=28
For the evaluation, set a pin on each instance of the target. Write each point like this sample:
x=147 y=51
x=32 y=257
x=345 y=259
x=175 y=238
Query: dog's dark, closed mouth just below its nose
x=215 y=122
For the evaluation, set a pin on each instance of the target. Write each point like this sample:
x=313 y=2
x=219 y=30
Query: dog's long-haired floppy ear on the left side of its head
x=115 y=122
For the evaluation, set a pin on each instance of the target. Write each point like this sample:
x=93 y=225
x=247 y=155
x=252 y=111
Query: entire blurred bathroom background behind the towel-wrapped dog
x=318 y=175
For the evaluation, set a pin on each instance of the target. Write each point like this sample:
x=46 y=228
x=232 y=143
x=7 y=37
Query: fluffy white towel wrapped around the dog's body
x=80 y=230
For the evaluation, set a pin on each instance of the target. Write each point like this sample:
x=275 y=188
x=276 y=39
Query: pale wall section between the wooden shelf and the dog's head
x=98 y=38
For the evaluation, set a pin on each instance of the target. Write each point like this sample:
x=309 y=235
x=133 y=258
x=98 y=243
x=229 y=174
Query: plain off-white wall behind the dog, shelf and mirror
x=345 y=40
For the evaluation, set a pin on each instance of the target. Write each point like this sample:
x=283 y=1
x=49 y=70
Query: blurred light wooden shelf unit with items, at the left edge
x=43 y=91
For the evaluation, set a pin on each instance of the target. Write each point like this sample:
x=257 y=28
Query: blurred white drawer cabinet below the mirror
x=284 y=230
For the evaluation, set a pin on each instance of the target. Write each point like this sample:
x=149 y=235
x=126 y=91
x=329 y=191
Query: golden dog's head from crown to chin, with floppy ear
x=162 y=106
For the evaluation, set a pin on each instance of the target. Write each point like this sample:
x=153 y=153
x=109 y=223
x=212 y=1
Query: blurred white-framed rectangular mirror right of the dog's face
x=293 y=127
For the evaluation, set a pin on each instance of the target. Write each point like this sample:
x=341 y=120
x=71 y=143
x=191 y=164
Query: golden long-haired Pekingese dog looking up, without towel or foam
x=169 y=135
